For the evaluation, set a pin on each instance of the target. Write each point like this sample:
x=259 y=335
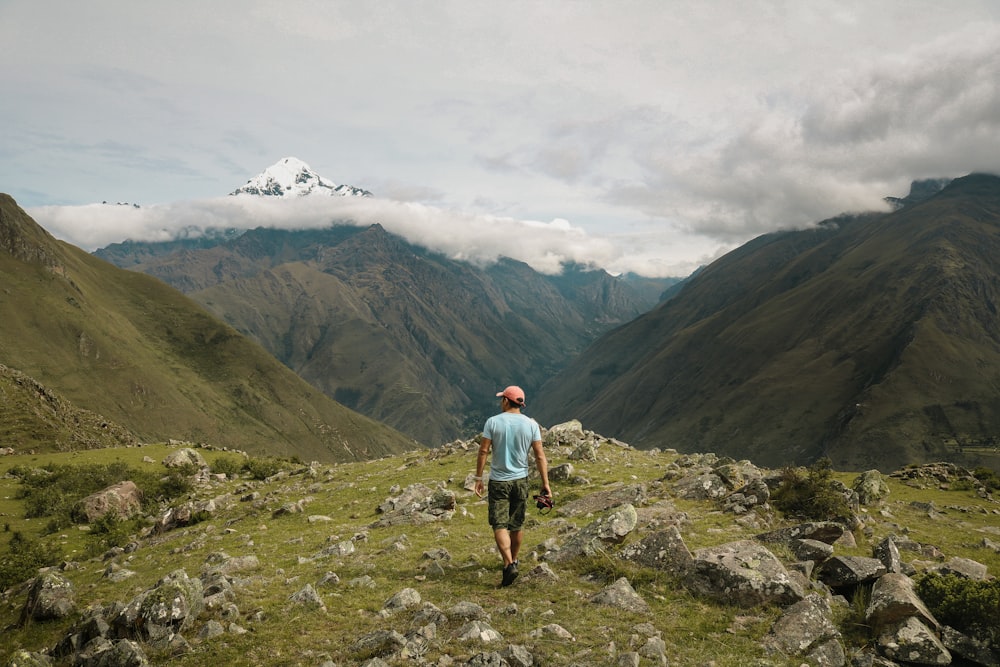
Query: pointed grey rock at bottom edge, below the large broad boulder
x=806 y=627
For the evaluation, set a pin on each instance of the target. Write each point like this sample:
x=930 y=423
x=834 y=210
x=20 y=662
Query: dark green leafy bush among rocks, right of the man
x=811 y=494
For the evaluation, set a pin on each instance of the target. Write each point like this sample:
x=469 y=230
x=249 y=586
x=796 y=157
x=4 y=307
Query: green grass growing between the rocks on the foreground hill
x=696 y=631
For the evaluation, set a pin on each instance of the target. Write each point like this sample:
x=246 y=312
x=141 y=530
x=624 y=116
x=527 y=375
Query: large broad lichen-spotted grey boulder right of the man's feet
x=743 y=573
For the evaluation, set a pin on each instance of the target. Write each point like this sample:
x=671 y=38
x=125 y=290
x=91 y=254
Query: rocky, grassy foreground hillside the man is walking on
x=649 y=558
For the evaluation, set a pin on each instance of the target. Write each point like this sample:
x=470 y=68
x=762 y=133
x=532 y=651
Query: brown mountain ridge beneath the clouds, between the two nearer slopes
x=409 y=337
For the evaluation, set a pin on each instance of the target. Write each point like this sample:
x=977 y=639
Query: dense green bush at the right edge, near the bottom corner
x=970 y=606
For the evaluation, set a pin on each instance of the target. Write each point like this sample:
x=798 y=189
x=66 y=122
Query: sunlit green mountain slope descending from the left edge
x=130 y=348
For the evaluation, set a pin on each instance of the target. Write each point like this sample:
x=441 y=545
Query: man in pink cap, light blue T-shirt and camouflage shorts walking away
x=510 y=435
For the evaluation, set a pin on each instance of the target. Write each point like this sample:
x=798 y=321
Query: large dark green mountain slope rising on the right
x=873 y=340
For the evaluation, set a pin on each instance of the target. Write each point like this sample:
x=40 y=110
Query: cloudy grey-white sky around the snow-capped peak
x=637 y=134
